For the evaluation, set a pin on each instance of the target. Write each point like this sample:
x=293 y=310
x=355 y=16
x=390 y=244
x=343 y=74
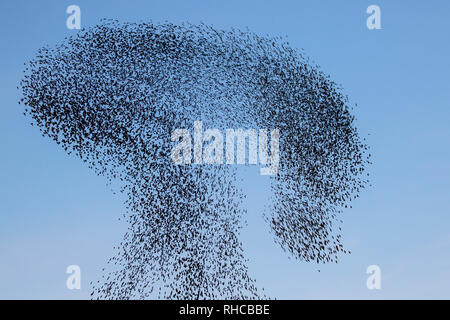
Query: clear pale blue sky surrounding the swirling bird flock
x=54 y=211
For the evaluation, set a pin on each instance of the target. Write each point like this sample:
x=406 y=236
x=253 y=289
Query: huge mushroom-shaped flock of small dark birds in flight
x=112 y=95
